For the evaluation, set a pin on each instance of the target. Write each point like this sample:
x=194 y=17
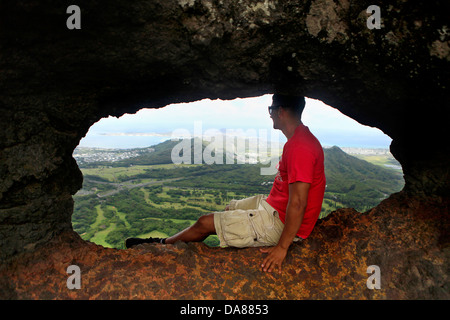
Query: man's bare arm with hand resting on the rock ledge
x=298 y=198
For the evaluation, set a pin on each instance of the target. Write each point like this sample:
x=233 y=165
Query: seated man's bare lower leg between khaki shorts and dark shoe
x=199 y=231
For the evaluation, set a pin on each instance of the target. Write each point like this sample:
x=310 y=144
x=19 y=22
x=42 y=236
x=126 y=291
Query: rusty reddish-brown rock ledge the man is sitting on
x=409 y=244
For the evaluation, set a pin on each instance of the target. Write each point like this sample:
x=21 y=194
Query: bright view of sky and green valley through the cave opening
x=134 y=187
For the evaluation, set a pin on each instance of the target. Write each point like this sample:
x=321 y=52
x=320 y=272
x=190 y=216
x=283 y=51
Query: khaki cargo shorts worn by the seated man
x=249 y=222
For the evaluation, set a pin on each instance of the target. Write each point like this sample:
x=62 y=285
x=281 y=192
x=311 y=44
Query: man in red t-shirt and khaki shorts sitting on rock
x=289 y=212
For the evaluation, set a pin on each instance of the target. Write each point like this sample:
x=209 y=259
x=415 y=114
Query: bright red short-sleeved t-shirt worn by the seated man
x=302 y=160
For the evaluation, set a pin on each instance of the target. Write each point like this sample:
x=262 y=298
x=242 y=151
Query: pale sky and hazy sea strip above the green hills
x=234 y=117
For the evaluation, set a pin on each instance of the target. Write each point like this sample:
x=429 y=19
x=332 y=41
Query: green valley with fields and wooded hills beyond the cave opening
x=147 y=195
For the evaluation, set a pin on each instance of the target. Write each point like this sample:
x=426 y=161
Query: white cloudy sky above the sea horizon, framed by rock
x=327 y=123
